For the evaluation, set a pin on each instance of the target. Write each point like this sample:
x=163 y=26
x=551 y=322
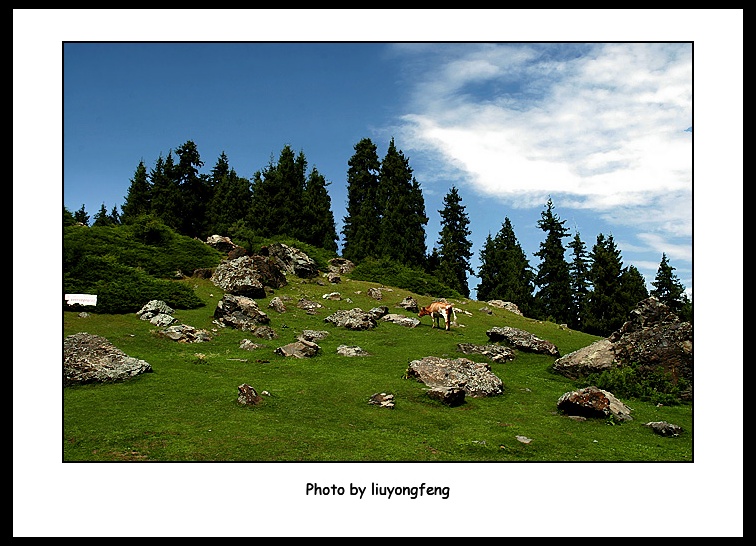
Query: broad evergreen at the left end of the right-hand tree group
x=505 y=273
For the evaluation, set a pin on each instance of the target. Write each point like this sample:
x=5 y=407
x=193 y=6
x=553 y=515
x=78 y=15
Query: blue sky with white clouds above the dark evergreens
x=604 y=129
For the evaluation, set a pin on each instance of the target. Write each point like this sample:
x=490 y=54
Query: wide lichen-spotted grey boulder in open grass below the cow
x=475 y=378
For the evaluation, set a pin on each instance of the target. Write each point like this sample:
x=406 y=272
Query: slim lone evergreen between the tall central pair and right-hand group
x=454 y=254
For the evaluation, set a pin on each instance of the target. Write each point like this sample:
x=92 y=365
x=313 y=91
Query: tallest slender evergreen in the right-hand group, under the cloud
x=554 y=297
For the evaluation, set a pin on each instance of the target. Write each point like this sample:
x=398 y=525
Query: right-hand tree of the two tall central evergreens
x=402 y=229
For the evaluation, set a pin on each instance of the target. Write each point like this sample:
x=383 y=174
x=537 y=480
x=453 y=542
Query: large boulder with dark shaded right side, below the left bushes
x=248 y=276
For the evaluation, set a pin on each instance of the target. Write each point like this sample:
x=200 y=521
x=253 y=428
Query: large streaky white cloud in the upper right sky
x=602 y=125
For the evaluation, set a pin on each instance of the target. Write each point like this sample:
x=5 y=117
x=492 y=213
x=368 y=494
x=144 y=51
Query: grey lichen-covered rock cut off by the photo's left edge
x=89 y=358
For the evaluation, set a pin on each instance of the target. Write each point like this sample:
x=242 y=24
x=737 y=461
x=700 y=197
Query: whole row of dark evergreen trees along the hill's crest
x=386 y=218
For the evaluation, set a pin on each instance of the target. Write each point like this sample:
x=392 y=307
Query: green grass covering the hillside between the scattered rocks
x=187 y=410
